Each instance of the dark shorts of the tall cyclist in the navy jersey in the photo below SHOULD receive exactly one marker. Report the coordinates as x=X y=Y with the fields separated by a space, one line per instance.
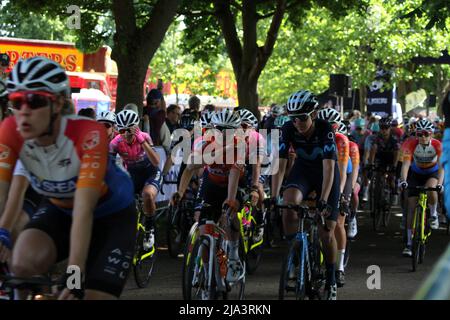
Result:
x=307 y=180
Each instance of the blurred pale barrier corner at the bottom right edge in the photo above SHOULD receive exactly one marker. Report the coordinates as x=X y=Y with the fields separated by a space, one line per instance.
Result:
x=437 y=285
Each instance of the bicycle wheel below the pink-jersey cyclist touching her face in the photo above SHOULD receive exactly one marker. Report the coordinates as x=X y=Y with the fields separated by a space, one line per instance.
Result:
x=143 y=261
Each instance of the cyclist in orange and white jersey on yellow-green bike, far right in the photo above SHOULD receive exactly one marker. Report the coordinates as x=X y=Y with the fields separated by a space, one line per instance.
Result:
x=421 y=167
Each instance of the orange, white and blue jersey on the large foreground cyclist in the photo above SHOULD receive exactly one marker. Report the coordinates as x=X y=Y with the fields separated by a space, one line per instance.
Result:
x=78 y=159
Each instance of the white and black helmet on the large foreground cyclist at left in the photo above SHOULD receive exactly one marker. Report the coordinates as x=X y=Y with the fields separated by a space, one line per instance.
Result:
x=38 y=74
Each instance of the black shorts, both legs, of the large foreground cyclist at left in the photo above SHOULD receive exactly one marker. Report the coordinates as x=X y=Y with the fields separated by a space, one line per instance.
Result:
x=111 y=249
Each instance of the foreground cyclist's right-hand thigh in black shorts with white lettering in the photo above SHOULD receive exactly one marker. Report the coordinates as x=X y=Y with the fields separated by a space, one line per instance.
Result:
x=110 y=254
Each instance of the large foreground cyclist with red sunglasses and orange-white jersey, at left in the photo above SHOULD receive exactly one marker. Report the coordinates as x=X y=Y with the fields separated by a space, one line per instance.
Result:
x=88 y=215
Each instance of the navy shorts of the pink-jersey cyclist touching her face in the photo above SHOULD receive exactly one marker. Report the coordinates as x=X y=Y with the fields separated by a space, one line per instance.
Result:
x=143 y=174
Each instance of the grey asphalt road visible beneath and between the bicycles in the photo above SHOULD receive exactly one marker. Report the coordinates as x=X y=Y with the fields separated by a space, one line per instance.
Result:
x=369 y=248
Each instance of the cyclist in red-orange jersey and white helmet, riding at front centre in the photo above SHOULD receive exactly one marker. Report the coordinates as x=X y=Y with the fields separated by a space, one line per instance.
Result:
x=220 y=179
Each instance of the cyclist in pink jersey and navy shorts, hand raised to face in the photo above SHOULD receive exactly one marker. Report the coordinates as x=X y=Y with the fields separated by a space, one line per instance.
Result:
x=142 y=162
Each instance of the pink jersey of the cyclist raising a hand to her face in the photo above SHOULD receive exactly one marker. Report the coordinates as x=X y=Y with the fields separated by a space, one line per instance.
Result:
x=130 y=153
